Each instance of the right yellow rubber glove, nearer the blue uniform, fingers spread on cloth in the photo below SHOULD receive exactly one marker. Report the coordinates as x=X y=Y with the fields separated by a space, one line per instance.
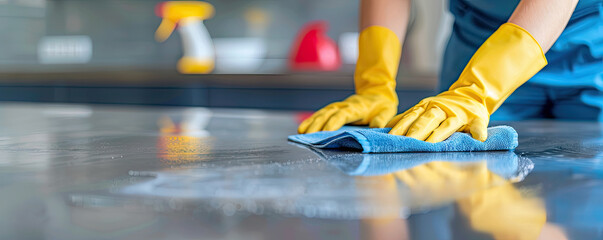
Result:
x=509 y=58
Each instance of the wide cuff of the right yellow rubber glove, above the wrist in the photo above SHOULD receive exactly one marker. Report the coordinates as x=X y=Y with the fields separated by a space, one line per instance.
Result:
x=508 y=58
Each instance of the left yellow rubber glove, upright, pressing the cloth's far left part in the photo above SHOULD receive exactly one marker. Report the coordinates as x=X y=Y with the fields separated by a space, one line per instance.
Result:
x=375 y=101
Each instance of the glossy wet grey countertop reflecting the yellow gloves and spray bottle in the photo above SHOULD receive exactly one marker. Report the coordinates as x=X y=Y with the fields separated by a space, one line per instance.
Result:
x=108 y=172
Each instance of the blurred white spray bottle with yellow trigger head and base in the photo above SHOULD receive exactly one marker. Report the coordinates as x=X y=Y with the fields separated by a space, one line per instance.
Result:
x=188 y=16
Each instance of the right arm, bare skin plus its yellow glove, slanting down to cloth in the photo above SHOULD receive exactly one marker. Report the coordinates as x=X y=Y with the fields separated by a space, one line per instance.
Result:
x=506 y=60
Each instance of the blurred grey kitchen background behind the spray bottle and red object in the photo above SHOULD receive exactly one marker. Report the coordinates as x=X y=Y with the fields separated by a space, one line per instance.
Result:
x=104 y=51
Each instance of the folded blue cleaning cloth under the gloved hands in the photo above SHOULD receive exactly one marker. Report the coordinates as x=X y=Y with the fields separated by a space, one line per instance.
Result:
x=377 y=140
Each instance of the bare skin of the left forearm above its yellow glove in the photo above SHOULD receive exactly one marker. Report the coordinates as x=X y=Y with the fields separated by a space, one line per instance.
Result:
x=392 y=14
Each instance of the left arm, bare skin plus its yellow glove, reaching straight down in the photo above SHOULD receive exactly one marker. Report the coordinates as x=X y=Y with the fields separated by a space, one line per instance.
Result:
x=382 y=28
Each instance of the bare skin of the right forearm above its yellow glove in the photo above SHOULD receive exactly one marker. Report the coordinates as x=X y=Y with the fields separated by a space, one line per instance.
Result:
x=543 y=19
